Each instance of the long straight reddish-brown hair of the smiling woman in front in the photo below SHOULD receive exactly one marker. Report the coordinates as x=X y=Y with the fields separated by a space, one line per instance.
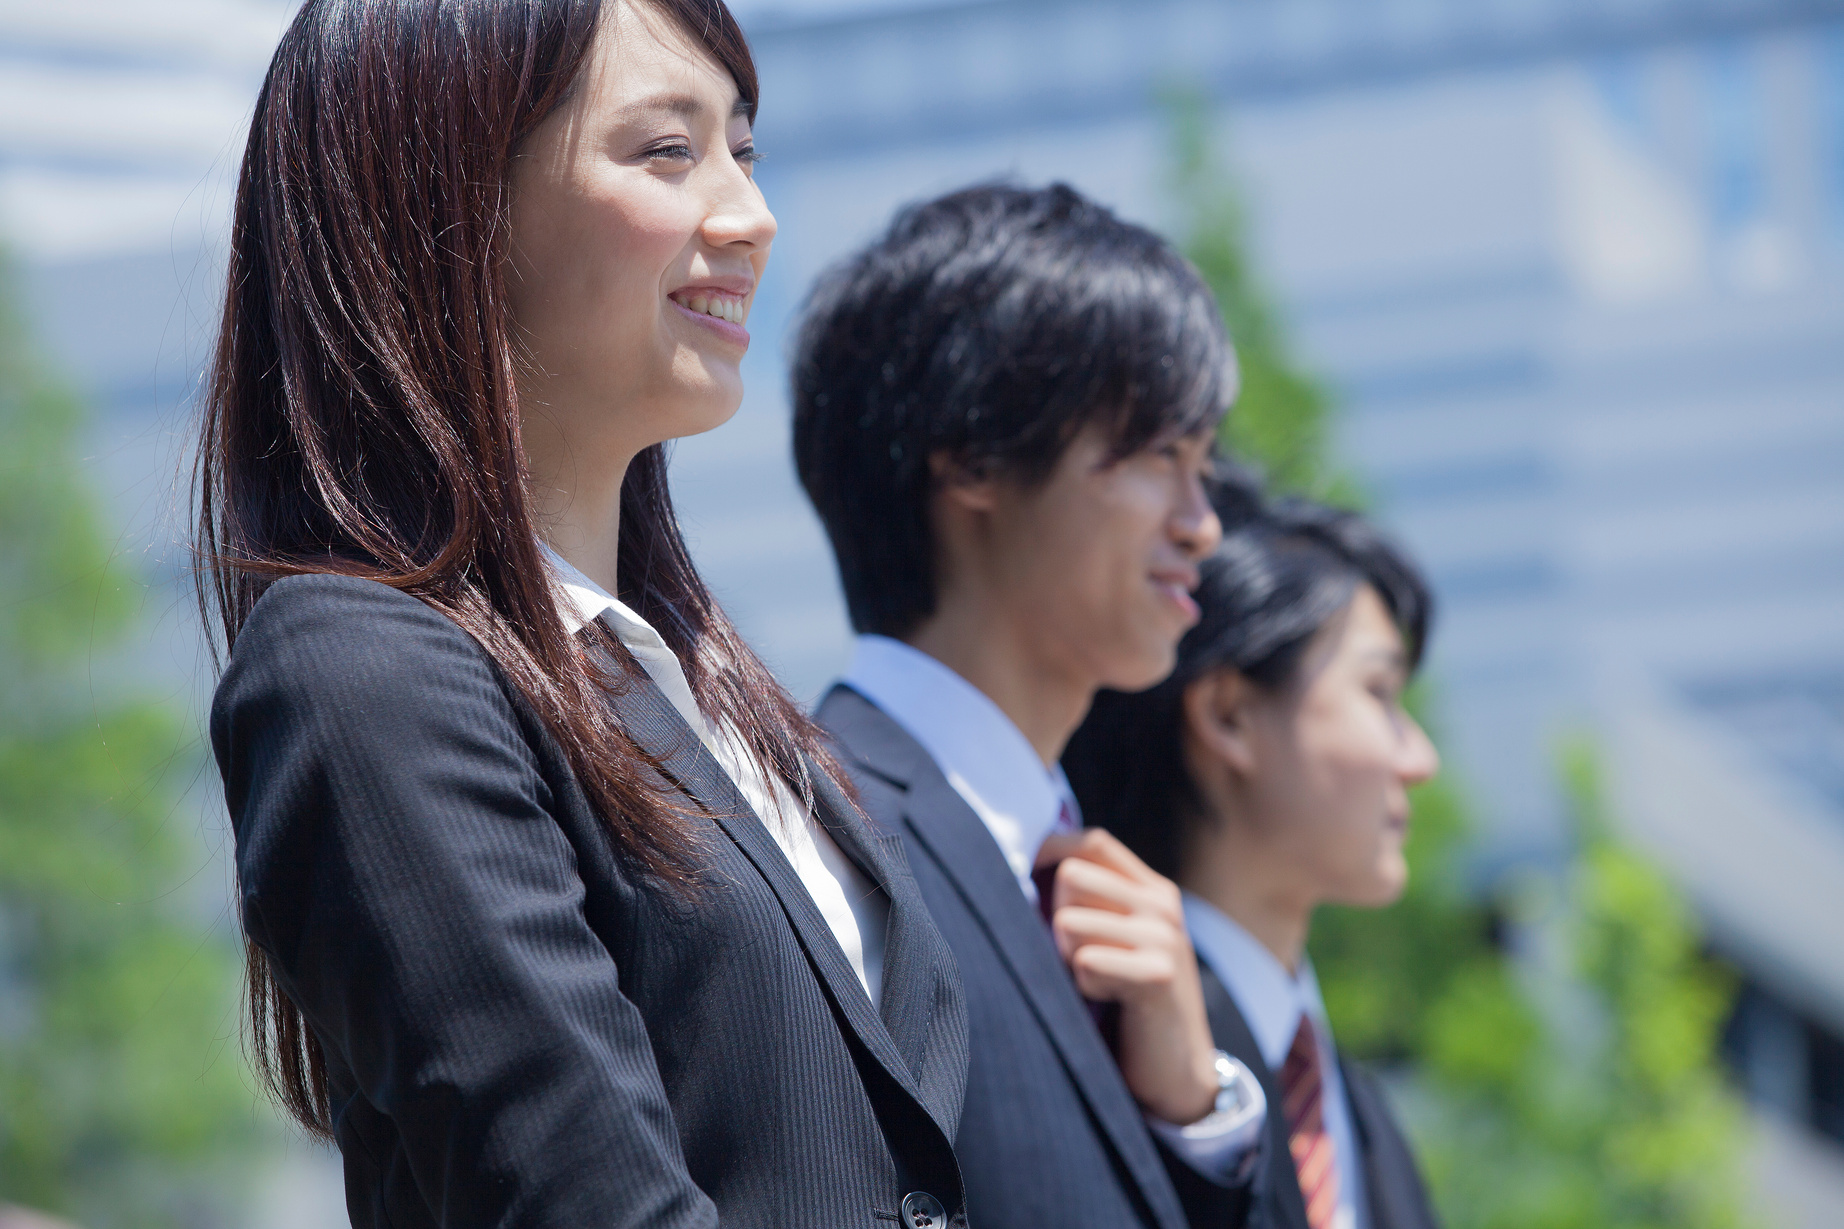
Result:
x=362 y=409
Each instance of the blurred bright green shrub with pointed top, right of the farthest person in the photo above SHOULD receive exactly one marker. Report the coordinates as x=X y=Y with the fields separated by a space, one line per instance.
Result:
x=1609 y=1110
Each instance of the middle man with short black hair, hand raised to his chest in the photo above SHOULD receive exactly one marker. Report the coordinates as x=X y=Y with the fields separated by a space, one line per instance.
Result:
x=1006 y=414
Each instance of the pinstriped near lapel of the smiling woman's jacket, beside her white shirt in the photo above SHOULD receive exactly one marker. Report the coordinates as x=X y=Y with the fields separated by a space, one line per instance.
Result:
x=681 y=758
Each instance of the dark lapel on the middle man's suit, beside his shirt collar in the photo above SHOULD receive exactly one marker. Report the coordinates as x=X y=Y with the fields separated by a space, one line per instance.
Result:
x=956 y=839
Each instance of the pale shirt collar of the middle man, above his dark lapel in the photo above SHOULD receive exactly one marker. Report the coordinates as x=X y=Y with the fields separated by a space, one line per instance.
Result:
x=980 y=750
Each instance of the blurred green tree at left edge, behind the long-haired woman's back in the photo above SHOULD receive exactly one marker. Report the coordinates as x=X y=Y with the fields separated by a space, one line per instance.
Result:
x=119 y=1073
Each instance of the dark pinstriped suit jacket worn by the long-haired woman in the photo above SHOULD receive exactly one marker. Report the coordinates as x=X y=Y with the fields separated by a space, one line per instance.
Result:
x=519 y=1031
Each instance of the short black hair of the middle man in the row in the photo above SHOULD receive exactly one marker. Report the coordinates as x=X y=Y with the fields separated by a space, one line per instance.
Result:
x=989 y=326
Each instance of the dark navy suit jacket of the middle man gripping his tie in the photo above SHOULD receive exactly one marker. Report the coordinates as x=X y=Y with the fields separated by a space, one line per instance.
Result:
x=1050 y=1136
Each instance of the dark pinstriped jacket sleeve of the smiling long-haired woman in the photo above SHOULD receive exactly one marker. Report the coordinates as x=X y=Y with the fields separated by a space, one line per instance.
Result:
x=403 y=872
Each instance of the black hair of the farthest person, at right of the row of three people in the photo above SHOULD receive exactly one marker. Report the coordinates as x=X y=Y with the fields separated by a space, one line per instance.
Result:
x=1266 y=593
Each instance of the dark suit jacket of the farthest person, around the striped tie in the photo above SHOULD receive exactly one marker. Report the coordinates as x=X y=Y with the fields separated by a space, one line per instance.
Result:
x=1393 y=1184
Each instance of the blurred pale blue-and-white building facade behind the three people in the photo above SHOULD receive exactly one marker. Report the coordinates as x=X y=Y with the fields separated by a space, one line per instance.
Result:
x=1574 y=270
